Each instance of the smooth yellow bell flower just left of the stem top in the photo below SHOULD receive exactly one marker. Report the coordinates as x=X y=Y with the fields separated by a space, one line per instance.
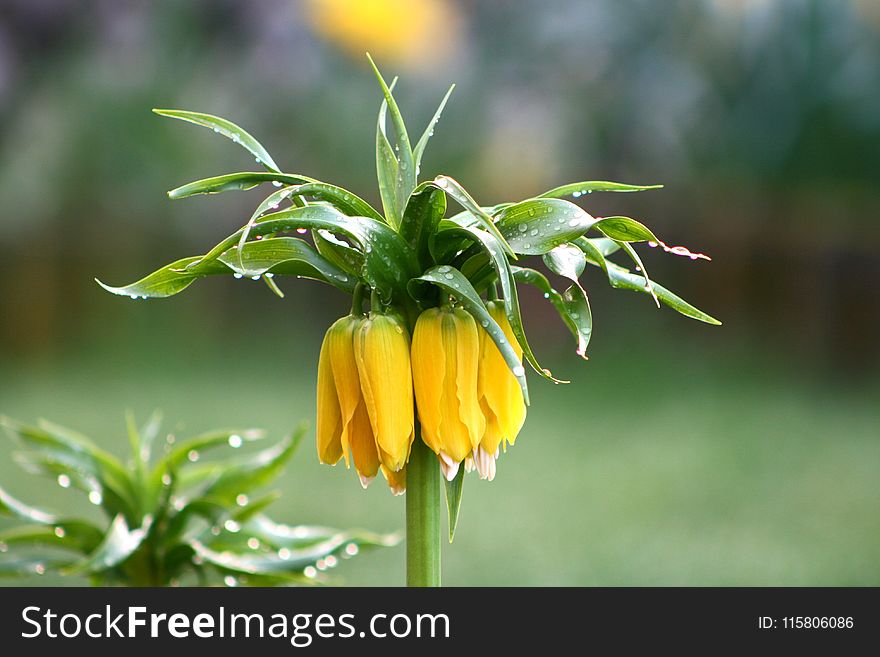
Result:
x=383 y=363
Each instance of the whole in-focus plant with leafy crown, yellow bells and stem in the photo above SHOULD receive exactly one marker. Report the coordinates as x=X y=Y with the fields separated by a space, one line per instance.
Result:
x=431 y=274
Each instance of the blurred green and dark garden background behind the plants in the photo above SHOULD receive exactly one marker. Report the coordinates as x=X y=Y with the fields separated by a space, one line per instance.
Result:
x=681 y=454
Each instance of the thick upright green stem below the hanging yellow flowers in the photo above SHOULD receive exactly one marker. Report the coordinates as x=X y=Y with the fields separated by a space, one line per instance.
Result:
x=422 y=515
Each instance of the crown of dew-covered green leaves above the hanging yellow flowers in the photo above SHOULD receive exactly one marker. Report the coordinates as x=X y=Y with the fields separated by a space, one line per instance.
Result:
x=414 y=256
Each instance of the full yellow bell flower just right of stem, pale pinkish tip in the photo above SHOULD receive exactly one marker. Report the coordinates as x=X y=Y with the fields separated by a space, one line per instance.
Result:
x=445 y=356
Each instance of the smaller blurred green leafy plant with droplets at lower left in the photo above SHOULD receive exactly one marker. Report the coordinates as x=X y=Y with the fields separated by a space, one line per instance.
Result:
x=178 y=518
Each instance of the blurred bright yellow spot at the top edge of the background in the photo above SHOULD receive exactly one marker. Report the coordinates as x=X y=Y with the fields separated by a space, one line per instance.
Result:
x=411 y=33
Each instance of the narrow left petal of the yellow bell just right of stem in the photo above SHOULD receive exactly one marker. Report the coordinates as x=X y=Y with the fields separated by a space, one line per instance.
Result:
x=428 y=371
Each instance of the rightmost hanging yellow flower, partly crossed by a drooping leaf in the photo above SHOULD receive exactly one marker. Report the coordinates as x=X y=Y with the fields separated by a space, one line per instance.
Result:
x=500 y=396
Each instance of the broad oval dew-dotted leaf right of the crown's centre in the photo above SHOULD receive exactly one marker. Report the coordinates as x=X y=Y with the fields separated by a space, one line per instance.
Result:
x=537 y=226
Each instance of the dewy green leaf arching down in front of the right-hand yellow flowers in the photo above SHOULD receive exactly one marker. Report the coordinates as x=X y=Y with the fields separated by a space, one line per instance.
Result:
x=451 y=281
